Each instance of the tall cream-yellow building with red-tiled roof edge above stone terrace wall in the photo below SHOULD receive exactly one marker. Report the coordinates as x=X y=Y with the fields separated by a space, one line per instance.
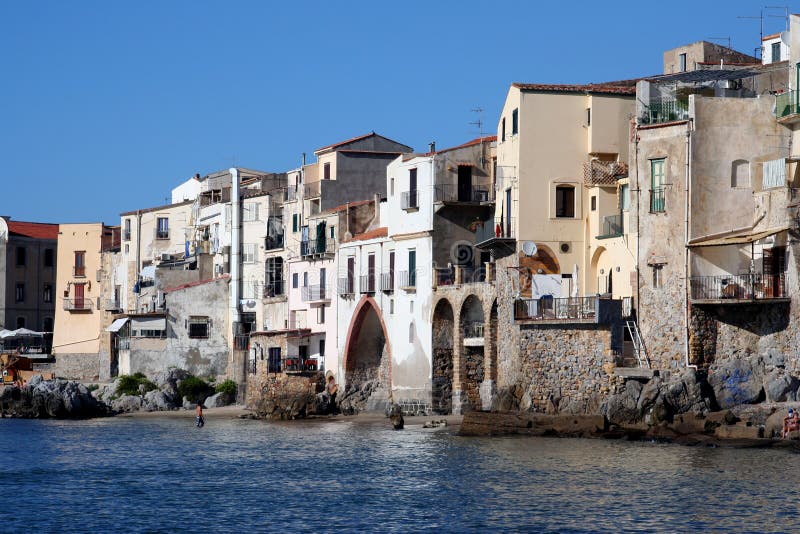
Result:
x=561 y=151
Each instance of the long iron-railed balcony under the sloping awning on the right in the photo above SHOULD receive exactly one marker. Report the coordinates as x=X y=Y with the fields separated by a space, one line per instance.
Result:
x=737 y=289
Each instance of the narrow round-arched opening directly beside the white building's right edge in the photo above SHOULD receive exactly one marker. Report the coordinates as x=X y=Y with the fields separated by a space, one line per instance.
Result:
x=442 y=373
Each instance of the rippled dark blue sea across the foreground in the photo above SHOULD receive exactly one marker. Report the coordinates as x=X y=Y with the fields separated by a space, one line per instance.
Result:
x=165 y=475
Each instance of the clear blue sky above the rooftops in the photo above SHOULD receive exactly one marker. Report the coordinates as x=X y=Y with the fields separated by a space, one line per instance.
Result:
x=107 y=105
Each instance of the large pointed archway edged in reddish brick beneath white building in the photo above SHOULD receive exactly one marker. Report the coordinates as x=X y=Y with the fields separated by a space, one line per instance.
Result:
x=367 y=360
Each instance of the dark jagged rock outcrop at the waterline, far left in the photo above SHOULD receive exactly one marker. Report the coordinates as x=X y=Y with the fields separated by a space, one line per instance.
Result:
x=60 y=399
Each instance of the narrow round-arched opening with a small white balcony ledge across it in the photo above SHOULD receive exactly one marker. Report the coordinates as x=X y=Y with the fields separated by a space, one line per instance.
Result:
x=471 y=322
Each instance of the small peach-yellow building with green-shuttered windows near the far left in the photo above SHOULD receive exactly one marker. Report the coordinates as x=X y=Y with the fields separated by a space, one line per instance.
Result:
x=79 y=319
